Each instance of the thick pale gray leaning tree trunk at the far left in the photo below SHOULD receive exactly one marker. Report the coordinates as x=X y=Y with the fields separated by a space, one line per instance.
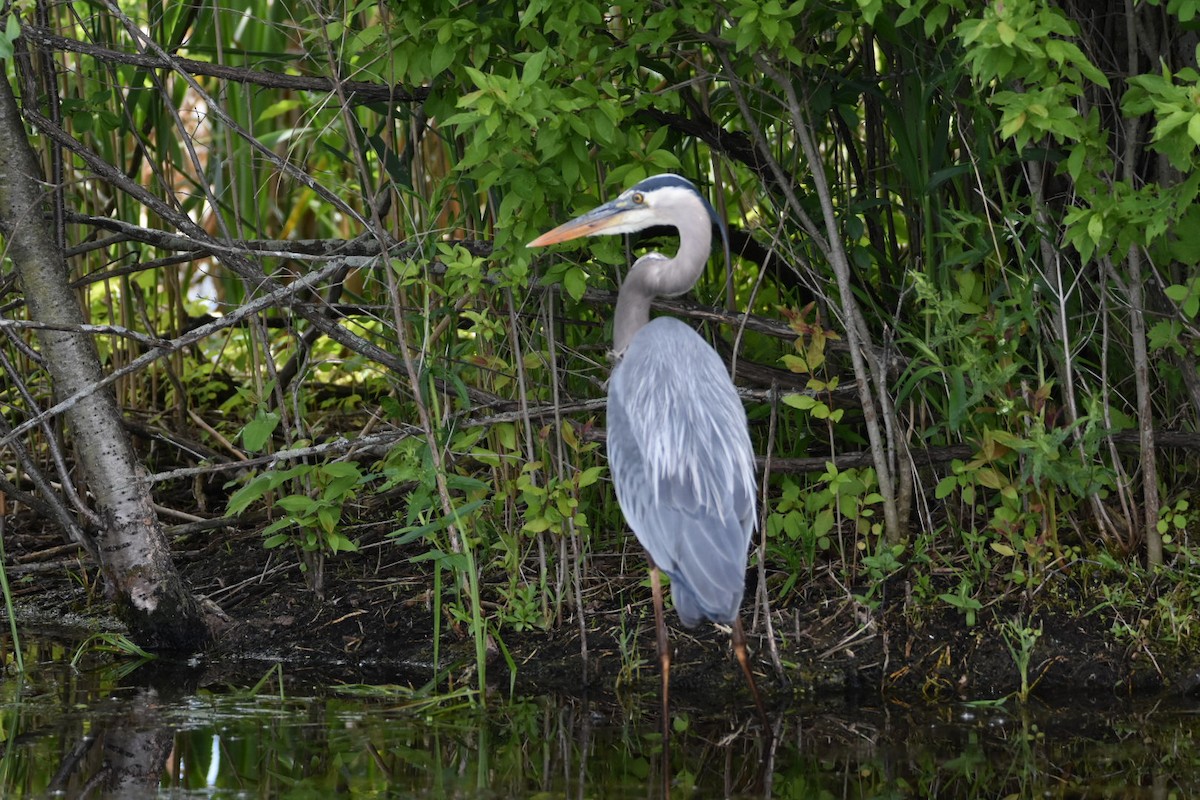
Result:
x=149 y=592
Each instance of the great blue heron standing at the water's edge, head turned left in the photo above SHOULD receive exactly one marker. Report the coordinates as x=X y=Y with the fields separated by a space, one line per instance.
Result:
x=679 y=443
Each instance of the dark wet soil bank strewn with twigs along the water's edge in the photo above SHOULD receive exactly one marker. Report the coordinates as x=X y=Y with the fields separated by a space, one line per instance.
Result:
x=374 y=622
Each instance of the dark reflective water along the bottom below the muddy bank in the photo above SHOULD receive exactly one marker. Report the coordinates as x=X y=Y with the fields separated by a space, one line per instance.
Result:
x=110 y=727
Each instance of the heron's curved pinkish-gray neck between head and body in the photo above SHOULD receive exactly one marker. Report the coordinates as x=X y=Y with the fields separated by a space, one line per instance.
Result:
x=652 y=278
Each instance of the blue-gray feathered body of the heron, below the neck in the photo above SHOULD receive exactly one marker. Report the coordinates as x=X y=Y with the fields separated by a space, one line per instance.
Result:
x=683 y=466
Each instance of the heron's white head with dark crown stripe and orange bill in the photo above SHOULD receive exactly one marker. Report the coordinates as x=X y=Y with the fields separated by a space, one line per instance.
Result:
x=659 y=201
